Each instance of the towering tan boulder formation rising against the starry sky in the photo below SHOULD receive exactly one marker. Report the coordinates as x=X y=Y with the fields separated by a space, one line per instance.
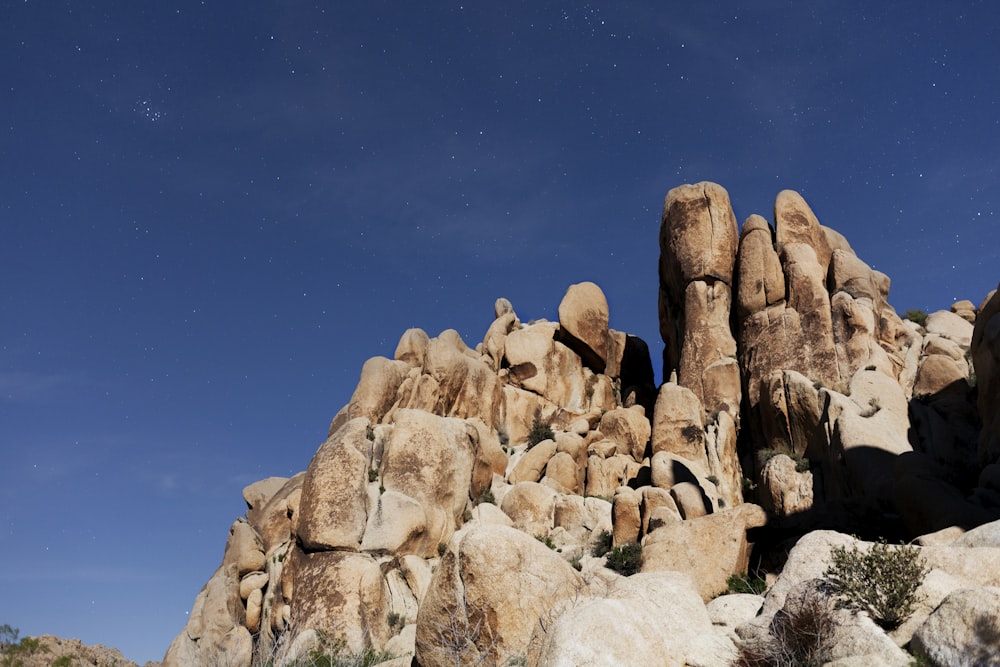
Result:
x=440 y=521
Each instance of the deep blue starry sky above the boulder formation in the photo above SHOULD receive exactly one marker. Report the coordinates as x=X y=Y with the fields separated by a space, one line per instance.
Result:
x=211 y=213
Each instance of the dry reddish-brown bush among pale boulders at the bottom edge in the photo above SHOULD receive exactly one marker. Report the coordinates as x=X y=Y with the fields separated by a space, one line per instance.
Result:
x=800 y=635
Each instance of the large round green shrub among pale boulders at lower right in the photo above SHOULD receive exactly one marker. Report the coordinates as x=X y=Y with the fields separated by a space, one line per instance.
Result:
x=883 y=581
